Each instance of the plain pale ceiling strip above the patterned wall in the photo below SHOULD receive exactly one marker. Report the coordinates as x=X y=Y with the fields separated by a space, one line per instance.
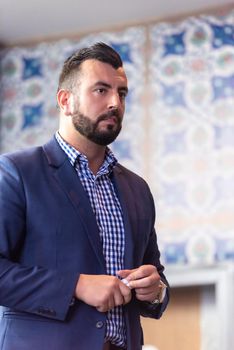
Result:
x=30 y=20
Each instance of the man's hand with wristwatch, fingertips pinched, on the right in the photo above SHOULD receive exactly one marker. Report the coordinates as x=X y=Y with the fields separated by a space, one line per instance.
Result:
x=145 y=280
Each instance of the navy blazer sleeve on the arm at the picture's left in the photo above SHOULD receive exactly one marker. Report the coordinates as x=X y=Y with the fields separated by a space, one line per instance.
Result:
x=33 y=289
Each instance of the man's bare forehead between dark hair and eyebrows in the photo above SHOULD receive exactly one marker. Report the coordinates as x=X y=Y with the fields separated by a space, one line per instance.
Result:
x=94 y=70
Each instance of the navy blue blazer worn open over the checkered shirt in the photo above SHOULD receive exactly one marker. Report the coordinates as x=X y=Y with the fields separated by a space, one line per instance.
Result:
x=48 y=236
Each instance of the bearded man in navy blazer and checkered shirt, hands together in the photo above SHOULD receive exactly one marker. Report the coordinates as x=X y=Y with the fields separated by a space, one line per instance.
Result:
x=79 y=262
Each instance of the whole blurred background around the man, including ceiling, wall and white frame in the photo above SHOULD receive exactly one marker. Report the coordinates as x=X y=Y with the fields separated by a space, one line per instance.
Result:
x=178 y=132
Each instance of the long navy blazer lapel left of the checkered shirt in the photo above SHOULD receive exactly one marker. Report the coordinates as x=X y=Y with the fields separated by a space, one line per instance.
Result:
x=67 y=177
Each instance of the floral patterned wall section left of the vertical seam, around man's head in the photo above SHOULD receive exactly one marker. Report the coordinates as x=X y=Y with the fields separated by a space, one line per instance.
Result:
x=29 y=77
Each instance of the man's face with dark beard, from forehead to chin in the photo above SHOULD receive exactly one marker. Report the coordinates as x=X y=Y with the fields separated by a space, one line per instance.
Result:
x=99 y=102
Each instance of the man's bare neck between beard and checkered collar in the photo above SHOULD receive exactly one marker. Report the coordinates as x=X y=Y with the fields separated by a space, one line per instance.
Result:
x=94 y=153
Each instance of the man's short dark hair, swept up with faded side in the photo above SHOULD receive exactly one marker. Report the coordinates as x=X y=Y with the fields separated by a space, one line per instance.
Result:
x=99 y=51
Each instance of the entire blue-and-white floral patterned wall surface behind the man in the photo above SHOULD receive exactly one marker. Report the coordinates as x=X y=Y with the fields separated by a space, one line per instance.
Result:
x=180 y=108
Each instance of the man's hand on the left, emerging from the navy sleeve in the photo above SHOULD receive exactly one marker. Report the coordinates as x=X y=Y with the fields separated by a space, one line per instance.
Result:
x=102 y=291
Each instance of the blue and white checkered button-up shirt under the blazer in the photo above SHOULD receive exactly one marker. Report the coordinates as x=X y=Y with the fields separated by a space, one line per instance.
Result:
x=108 y=213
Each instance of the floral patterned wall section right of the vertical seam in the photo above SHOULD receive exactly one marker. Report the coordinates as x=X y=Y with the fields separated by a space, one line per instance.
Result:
x=192 y=138
